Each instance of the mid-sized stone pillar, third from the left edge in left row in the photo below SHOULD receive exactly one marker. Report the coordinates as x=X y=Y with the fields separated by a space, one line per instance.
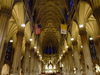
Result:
x=26 y=58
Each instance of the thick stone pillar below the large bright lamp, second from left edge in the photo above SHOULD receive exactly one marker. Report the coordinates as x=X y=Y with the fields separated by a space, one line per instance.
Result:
x=17 y=54
